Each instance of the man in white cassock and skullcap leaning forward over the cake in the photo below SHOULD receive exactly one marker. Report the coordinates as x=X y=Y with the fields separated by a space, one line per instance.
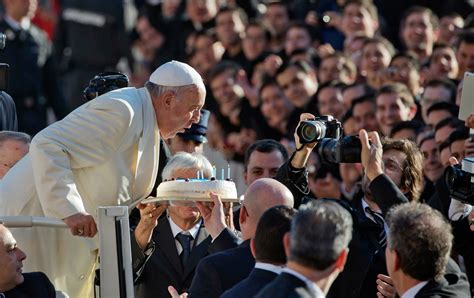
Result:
x=104 y=153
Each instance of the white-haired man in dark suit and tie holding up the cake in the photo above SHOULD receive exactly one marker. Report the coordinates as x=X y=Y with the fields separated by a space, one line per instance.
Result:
x=168 y=254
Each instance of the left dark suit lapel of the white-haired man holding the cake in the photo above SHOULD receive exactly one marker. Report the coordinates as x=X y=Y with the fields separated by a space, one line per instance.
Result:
x=166 y=244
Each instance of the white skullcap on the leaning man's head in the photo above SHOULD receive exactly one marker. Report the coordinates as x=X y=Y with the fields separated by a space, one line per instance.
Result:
x=174 y=74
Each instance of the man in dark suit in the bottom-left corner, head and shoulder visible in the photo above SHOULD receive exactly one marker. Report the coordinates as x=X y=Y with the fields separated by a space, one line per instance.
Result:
x=14 y=283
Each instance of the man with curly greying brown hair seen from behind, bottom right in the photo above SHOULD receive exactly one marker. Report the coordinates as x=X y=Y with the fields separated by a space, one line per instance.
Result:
x=418 y=249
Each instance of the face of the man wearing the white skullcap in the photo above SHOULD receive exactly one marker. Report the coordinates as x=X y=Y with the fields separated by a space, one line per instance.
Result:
x=184 y=110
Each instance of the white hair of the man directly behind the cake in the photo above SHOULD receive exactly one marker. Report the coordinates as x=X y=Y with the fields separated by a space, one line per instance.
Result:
x=187 y=161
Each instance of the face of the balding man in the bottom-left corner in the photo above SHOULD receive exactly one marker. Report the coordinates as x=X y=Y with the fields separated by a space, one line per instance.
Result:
x=11 y=261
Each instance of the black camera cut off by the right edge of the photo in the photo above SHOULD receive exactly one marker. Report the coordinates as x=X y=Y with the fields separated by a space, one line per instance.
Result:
x=460 y=180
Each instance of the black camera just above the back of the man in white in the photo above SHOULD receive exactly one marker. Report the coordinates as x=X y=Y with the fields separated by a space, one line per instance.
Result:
x=105 y=82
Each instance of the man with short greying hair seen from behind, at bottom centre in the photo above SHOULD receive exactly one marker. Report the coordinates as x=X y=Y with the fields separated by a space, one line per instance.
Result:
x=316 y=248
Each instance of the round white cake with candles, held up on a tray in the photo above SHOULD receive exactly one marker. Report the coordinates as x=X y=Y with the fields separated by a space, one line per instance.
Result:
x=195 y=190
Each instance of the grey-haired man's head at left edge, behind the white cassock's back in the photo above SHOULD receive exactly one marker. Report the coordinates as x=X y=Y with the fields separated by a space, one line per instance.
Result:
x=13 y=146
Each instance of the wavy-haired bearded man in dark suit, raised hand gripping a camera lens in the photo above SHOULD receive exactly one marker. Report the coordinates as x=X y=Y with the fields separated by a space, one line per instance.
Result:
x=402 y=167
